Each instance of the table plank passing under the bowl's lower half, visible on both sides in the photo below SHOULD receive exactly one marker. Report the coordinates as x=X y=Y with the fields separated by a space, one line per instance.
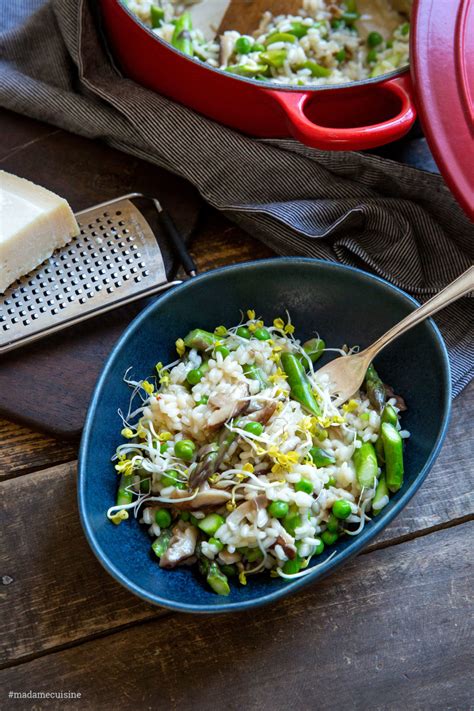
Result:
x=39 y=510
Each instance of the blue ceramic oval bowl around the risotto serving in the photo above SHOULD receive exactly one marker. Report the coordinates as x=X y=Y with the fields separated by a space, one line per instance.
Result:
x=344 y=305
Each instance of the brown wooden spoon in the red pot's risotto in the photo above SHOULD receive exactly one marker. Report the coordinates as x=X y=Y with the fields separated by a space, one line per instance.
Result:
x=244 y=15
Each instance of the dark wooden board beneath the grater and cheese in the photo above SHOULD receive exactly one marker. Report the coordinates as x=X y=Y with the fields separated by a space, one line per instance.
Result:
x=92 y=173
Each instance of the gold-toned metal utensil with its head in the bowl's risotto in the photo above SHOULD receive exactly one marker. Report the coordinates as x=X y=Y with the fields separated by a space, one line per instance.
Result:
x=347 y=373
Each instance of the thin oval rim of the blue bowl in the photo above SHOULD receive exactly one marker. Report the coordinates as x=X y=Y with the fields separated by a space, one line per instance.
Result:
x=328 y=565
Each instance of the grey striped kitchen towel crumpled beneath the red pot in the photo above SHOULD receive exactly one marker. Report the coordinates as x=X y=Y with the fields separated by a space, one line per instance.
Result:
x=393 y=220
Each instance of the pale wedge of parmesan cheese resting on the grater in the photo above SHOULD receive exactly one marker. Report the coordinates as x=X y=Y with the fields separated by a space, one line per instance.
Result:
x=33 y=223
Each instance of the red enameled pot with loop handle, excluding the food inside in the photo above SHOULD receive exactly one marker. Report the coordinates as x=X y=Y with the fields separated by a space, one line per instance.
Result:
x=355 y=116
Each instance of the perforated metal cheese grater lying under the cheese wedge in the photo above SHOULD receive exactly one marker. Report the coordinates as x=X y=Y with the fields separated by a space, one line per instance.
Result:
x=116 y=259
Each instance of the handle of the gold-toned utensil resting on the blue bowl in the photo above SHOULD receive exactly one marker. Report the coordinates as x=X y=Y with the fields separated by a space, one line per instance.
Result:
x=459 y=287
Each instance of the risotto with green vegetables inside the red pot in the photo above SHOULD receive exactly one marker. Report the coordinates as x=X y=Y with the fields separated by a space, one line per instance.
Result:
x=323 y=44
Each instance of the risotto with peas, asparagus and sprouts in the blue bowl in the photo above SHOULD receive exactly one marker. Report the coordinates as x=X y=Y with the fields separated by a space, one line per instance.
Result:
x=237 y=460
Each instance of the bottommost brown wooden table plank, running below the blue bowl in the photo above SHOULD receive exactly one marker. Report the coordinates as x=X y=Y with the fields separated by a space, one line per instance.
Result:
x=347 y=643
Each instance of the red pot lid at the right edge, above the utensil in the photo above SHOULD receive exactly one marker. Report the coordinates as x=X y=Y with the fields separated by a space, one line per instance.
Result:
x=442 y=51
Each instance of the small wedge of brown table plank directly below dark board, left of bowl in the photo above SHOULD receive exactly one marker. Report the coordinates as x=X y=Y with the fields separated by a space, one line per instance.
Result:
x=23 y=450
